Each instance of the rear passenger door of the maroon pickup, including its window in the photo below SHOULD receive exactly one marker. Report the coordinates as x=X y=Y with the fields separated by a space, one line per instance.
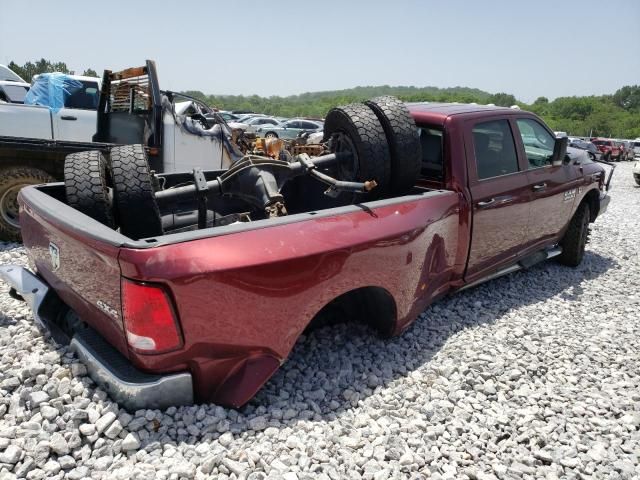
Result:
x=500 y=196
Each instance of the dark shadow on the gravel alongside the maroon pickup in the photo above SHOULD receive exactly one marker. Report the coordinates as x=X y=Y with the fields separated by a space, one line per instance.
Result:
x=333 y=368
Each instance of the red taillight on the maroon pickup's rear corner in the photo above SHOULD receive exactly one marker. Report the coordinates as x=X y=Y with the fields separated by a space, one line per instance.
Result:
x=150 y=322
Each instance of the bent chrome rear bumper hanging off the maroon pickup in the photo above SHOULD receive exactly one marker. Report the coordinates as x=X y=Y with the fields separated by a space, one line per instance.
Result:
x=127 y=385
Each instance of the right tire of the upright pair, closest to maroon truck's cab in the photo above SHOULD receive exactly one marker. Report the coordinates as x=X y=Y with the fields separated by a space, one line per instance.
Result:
x=404 y=142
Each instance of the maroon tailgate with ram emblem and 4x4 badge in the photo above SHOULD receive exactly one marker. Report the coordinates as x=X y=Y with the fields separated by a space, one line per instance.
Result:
x=82 y=268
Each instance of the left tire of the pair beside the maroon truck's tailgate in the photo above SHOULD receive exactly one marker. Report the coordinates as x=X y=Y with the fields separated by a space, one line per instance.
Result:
x=85 y=184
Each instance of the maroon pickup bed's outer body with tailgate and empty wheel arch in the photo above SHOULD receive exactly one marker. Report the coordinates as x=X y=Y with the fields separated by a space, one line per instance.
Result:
x=243 y=293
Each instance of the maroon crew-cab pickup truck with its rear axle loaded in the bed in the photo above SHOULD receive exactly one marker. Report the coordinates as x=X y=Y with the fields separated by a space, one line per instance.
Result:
x=210 y=313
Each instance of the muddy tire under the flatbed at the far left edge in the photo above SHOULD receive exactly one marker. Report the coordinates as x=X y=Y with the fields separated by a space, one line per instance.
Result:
x=12 y=179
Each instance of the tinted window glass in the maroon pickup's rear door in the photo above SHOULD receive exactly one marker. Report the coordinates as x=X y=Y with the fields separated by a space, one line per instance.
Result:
x=494 y=149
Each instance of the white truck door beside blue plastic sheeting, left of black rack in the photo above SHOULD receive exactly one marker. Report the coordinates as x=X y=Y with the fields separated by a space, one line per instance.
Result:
x=76 y=122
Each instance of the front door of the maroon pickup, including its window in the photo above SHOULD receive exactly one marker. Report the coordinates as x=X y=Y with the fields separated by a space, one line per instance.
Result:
x=553 y=188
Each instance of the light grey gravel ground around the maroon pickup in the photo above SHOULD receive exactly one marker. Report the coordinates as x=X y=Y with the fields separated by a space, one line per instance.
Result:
x=534 y=375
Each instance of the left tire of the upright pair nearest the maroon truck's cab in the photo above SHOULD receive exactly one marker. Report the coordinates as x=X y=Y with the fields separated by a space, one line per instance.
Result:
x=355 y=128
